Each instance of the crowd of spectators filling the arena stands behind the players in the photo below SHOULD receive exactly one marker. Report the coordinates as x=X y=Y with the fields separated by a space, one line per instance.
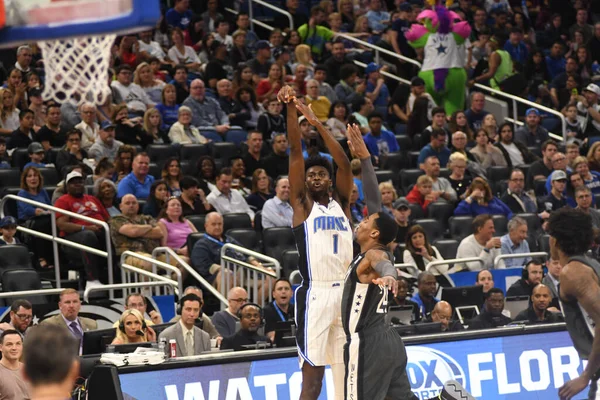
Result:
x=193 y=133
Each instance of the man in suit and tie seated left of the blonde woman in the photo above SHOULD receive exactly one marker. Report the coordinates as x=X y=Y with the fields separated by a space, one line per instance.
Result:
x=69 y=319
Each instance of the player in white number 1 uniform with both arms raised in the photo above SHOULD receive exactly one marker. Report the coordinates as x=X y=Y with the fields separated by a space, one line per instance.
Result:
x=323 y=234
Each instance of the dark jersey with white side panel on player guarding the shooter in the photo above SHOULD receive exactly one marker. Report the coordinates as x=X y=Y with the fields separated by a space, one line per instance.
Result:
x=363 y=304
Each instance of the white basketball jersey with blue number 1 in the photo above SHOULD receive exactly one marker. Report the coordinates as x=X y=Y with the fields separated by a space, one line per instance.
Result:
x=324 y=243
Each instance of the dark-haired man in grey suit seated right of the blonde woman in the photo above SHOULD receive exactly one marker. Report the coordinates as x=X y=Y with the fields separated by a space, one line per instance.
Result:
x=190 y=339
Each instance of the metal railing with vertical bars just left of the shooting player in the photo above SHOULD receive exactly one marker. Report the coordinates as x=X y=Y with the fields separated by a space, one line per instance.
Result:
x=240 y=273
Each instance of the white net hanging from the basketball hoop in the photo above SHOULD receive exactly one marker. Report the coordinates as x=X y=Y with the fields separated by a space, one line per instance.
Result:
x=77 y=68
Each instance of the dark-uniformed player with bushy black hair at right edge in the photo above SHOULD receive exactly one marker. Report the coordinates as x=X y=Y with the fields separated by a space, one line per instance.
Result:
x=571 y=236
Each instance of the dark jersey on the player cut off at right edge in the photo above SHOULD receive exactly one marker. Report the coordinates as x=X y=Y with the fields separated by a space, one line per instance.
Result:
x=579 y=323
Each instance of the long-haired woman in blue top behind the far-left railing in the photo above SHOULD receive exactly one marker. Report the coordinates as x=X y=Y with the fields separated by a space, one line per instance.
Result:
x=32 y=188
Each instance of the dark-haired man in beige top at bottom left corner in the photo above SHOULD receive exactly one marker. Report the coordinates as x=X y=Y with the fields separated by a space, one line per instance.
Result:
x=12 y=385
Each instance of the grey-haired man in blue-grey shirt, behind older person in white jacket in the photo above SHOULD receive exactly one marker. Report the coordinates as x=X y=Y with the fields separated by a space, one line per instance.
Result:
x=205 y=111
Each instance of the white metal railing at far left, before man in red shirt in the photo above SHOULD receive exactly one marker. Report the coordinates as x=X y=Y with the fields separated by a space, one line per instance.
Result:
x=58 y=240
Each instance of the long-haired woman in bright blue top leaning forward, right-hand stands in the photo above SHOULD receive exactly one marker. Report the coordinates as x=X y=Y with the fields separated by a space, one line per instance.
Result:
x=480 y=200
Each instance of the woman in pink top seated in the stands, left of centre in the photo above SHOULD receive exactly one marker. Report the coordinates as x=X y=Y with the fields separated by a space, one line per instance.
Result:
x=175 y=227
